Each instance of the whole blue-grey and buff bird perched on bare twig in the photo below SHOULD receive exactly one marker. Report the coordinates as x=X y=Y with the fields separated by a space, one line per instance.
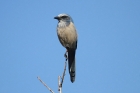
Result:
x=67 y=36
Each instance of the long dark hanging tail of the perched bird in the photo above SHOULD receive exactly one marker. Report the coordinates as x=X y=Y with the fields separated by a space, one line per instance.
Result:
x=71 y=62
